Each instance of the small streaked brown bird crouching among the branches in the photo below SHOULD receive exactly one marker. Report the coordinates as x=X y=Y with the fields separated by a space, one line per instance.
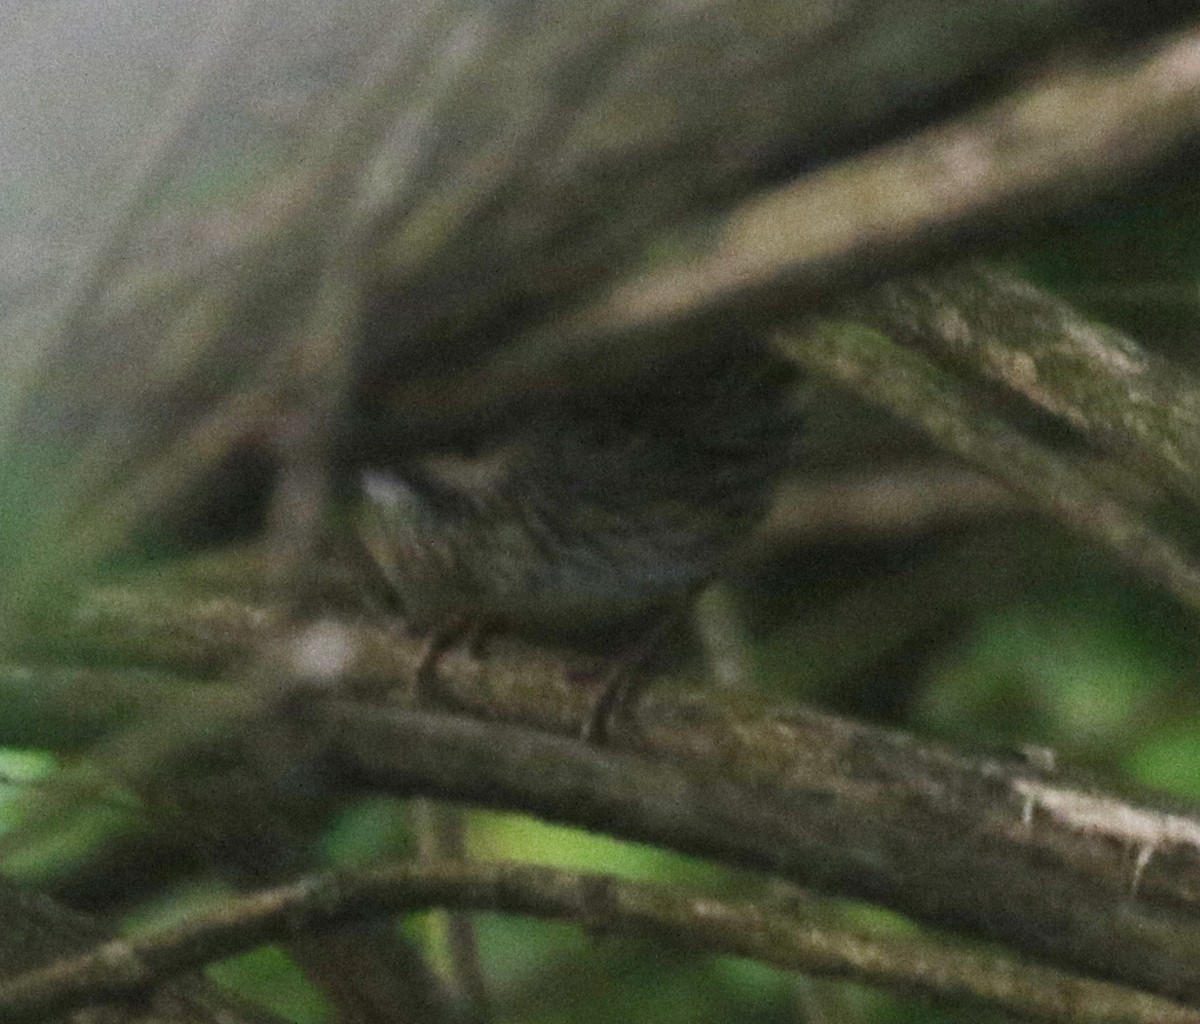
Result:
x=590 y=519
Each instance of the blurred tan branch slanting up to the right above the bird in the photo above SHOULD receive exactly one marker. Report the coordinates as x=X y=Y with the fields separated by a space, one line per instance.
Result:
x=857 y=223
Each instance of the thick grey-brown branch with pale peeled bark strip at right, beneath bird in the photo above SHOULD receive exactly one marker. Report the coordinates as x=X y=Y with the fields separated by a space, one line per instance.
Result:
x=994 y=848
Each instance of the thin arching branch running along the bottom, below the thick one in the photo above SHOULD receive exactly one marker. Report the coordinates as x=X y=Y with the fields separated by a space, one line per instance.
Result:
x=914 y=966
